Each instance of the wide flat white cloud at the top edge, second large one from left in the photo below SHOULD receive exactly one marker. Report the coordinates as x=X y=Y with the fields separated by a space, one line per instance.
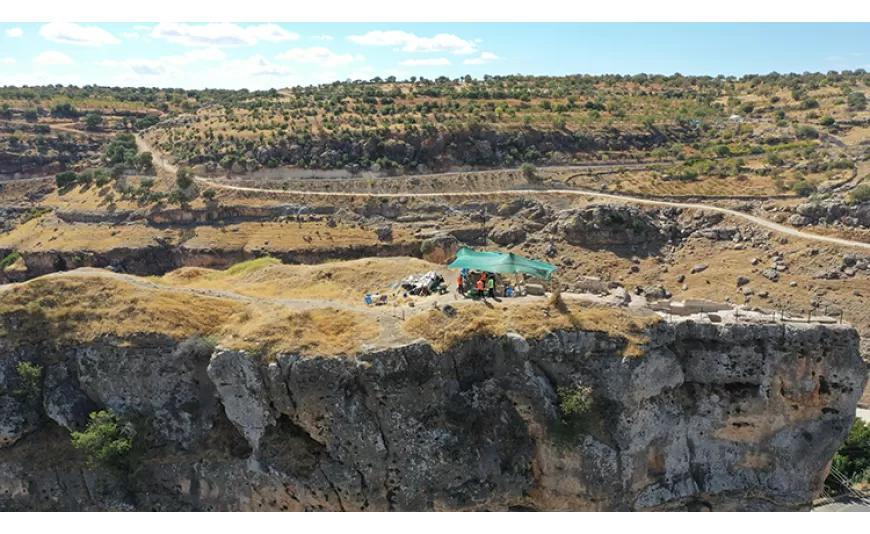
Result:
x=221 y=34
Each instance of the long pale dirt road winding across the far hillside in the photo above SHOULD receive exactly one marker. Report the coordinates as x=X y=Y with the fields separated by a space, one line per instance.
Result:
x=764 y=223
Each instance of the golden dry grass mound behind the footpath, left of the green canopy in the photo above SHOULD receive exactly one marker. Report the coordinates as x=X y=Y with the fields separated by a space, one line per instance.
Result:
x=339 y=281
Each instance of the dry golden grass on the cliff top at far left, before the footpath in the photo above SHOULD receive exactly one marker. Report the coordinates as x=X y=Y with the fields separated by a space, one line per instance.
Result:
x=81 y=309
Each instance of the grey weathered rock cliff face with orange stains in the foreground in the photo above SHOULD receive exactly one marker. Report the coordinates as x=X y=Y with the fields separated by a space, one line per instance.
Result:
x=711 y=416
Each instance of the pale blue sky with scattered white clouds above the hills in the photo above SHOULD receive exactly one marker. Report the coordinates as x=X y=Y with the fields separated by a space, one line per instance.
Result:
x=267 y=55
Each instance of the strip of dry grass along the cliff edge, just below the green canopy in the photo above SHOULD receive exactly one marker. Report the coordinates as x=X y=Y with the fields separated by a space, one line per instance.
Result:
x=534 y=320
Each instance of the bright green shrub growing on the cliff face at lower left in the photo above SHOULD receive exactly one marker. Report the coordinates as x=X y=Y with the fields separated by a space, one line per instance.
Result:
x=107 y=441
